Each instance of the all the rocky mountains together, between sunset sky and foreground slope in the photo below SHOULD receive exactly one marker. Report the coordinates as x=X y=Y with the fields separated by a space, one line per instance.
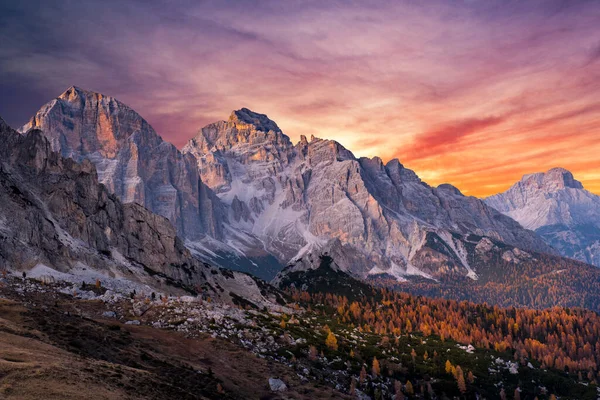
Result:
x=242 y=196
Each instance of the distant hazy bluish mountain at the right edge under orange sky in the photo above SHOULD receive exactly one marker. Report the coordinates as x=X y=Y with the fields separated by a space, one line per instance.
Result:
x=558 y=208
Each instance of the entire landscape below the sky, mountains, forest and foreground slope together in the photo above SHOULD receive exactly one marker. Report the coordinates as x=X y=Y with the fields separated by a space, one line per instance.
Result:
x=117 y=251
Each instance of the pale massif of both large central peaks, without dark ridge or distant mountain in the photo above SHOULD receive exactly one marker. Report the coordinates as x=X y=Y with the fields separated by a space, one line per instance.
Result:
x=242 y=195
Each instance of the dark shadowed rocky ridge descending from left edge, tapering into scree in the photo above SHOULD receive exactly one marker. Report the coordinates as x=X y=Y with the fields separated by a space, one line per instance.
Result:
x=57 y=220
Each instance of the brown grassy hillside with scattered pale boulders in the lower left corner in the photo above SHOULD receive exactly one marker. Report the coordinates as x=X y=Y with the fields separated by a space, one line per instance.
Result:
x=64 y=344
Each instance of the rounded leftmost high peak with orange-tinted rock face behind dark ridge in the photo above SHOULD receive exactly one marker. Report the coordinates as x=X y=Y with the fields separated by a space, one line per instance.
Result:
x=131 y=159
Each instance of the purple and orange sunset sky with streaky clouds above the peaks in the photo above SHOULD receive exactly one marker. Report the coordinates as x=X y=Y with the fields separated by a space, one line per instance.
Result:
x=474 y=93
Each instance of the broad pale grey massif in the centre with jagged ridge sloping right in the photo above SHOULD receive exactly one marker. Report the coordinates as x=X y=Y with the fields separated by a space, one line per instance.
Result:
x=315 y=196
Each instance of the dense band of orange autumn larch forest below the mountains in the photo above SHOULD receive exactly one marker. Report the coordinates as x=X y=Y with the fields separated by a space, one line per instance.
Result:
x=560 y=338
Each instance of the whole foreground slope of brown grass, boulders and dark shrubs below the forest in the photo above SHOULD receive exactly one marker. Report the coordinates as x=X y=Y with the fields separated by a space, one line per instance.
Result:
x=61 y=340
